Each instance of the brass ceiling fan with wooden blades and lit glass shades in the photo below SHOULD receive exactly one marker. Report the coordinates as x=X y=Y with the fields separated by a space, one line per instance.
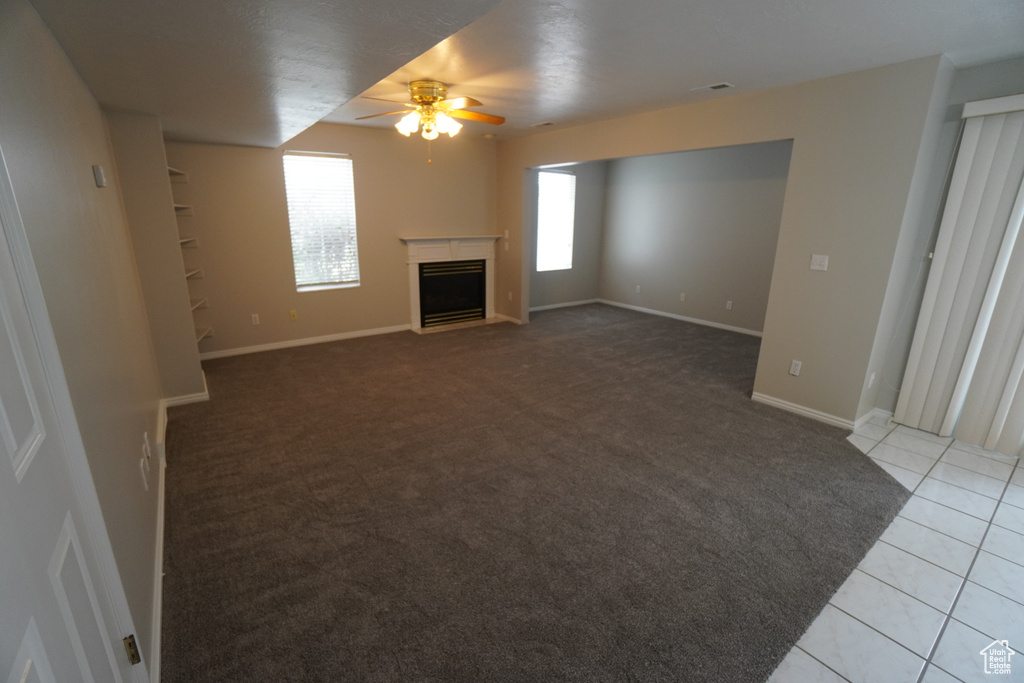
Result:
x=437 y=114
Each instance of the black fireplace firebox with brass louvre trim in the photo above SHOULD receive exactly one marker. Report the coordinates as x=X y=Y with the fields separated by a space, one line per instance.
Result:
x=452 y=292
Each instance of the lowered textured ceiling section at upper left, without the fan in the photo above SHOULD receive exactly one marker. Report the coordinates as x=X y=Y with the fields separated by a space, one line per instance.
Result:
x=244 y=72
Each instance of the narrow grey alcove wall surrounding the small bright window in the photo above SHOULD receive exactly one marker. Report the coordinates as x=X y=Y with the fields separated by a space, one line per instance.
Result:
x=581 y=282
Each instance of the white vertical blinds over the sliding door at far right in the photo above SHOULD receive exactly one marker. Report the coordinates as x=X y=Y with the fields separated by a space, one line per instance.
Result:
x=967 y=358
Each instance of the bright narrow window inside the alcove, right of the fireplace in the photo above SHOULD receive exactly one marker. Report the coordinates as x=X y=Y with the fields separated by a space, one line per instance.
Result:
x=556 y=221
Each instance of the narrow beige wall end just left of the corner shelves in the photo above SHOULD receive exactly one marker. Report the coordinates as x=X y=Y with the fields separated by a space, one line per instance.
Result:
x=142 y=172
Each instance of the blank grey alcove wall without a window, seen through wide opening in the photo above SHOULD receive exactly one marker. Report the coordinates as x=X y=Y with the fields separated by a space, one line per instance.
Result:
x=703 y=224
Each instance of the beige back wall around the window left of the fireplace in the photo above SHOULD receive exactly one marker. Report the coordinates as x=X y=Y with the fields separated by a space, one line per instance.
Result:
x=241 y=221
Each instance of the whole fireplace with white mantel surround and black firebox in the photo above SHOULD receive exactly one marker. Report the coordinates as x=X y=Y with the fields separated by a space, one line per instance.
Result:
x=467 y=264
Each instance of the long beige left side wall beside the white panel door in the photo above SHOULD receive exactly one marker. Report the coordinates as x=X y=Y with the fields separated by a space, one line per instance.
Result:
x=53 y=132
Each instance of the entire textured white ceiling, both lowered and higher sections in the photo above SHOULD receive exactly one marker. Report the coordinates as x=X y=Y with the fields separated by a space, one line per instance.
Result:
x=258 y=72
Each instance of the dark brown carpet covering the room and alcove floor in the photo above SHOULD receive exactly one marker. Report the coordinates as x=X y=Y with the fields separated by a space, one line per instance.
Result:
x=592 y=497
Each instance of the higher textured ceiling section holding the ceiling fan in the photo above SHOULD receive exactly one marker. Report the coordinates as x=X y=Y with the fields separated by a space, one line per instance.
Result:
x=537 y=62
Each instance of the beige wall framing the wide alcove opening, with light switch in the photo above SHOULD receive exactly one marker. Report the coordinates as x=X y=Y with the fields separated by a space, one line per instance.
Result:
x=857 y=141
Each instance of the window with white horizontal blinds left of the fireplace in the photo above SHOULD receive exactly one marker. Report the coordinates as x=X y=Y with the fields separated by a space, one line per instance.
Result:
x=322 y=216
